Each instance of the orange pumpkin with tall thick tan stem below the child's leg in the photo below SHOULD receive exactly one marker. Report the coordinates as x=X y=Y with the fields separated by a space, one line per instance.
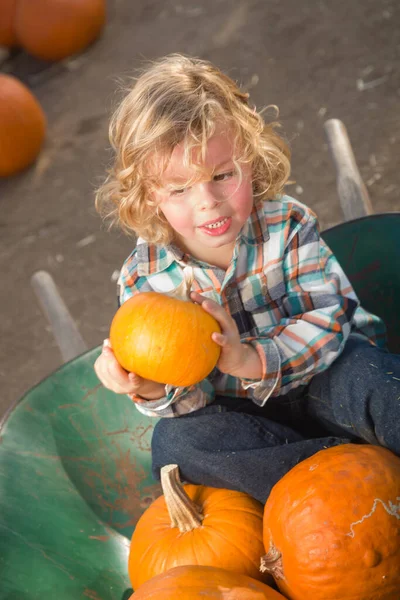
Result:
x=196 y=525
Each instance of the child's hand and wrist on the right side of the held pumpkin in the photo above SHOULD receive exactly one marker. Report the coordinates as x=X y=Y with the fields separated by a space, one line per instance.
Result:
x=237 y=359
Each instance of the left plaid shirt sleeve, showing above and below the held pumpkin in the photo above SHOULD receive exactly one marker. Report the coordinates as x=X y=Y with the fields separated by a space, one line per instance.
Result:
x=177 y=400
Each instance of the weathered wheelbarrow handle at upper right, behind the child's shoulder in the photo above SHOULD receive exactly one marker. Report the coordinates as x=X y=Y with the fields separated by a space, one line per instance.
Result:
x=353 y=194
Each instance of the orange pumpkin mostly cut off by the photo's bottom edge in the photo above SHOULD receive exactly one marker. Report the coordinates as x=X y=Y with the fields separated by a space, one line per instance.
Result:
x=204 y=583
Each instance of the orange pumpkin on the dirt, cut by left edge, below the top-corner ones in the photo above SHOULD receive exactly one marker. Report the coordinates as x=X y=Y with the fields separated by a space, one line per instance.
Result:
x=23 y=126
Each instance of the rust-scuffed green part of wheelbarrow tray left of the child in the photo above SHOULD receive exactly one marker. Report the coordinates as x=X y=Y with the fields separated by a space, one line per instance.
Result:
x=75 y=468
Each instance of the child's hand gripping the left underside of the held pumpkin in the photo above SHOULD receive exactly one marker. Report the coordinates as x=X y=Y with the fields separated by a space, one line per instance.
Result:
x=116 y=379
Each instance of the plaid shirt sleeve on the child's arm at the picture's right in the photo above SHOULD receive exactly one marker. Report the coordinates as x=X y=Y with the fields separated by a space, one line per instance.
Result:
x=319 y=303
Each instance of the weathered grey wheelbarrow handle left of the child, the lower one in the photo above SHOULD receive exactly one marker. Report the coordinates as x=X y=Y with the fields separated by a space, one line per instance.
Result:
x=63 y=326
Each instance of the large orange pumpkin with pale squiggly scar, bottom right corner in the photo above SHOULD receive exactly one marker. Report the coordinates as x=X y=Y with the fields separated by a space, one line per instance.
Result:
x=332 y=526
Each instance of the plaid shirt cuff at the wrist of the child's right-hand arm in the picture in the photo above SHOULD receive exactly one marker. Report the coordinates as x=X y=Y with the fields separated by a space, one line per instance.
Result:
x=270 y=380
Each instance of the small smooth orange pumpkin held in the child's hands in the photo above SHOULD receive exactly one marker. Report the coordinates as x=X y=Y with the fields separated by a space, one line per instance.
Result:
x=164 y=339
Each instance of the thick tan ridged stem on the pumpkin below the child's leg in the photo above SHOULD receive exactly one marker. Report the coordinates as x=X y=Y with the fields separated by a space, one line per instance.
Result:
x=183 y=512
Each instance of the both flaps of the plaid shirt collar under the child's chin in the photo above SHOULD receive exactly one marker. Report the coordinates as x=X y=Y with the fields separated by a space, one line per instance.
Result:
x=153 y=259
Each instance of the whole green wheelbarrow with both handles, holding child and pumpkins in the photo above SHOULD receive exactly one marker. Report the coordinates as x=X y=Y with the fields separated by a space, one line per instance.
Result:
x=75 y=460
